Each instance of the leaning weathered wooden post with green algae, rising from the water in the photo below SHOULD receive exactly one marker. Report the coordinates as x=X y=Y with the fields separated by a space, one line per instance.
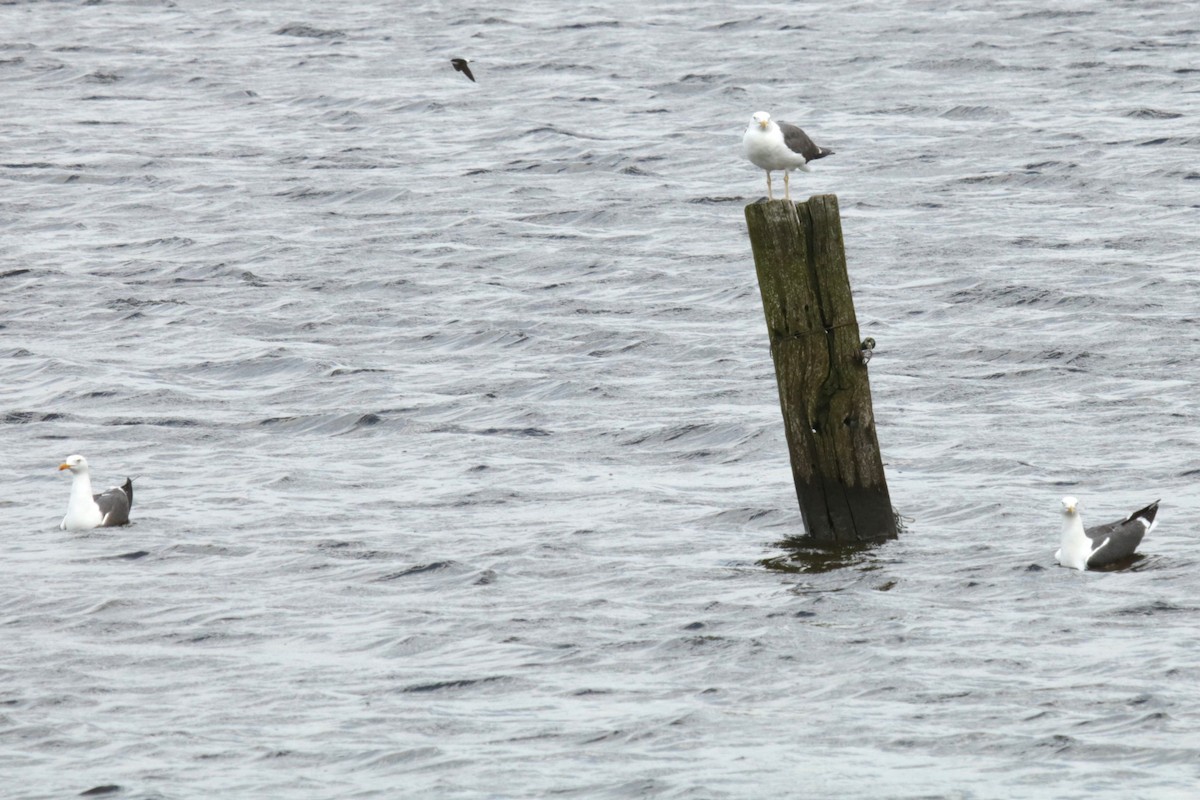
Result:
x=821 y=370
